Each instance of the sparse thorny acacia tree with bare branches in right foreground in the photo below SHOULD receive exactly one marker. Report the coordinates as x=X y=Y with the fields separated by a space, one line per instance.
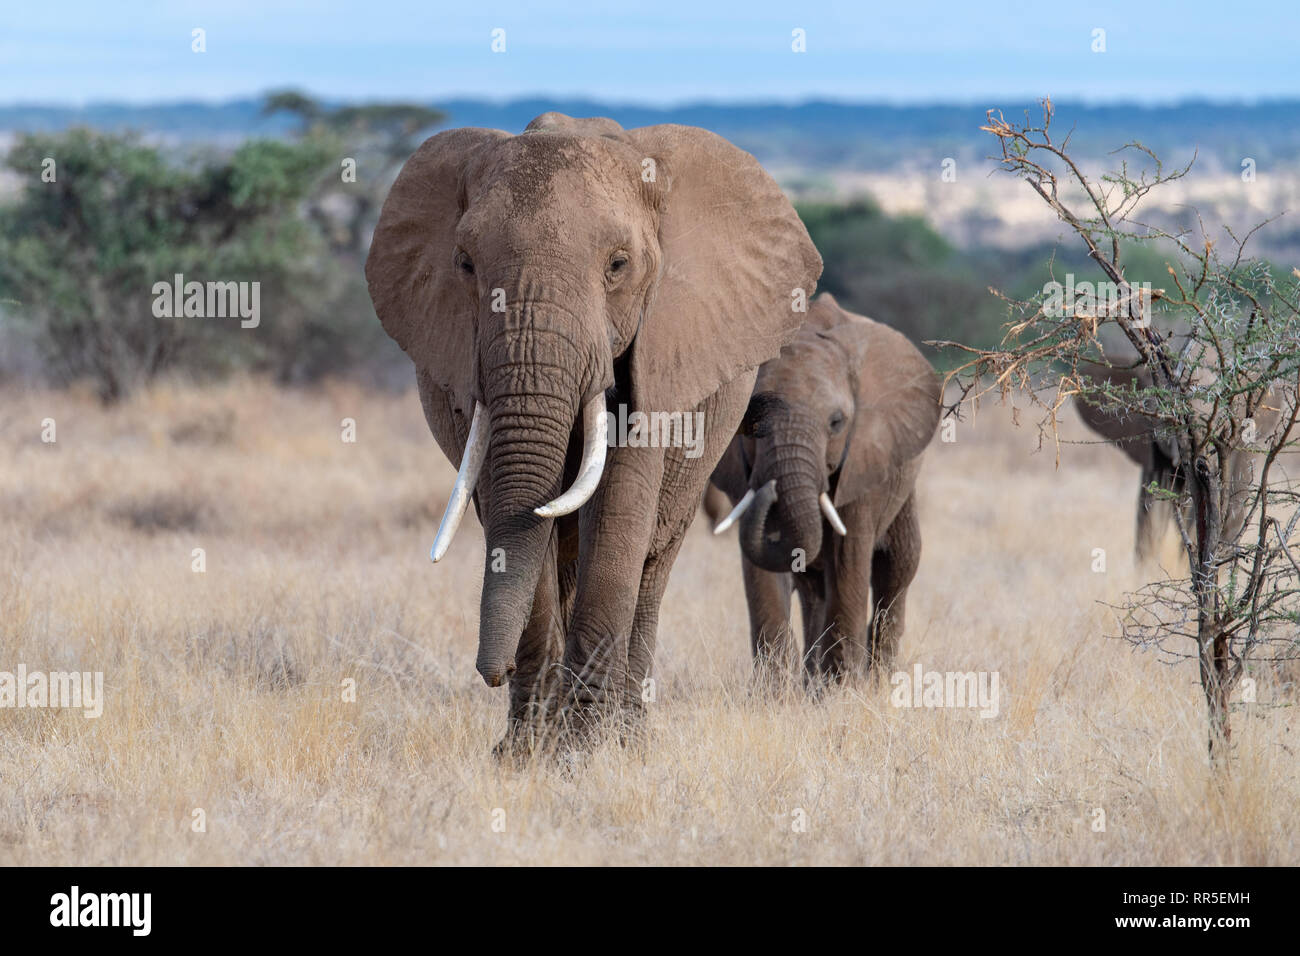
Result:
x=1220 y=345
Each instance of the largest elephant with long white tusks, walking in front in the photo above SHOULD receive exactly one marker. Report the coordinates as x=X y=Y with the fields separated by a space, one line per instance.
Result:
x=539 y=282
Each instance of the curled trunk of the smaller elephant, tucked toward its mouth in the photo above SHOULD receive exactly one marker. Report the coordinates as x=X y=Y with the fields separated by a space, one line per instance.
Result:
x=783 y=529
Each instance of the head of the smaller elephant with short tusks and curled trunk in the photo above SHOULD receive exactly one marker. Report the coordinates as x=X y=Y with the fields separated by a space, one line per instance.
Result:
x=831 y=418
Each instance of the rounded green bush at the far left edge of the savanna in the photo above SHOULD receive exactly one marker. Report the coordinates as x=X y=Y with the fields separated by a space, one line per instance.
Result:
x=83 y=248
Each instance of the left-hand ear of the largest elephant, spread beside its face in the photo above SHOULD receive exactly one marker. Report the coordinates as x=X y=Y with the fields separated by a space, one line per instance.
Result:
x=410 y=271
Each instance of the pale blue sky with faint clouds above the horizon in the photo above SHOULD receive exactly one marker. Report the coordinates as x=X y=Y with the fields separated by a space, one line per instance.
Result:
x=658 y=53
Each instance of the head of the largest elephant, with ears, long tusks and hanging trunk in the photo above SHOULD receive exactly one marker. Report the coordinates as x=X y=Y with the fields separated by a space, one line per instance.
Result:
x=530 y=276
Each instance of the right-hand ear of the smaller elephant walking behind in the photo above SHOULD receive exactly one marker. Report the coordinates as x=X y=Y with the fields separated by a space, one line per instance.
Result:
x=898 y=397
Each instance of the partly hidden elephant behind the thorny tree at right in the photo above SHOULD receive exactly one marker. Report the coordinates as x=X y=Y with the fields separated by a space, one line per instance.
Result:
x=1158 y=456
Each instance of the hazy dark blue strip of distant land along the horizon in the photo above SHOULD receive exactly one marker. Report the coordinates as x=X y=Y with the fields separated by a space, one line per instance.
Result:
x=813 y=136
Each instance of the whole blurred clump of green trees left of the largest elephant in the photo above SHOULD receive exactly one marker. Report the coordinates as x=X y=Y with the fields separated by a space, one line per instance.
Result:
x=101 y=220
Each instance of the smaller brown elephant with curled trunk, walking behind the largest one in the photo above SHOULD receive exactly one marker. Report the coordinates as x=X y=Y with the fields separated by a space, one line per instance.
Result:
x=822 y=475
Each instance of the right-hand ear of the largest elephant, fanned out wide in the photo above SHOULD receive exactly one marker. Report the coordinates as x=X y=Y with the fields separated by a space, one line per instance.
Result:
x=738 y=270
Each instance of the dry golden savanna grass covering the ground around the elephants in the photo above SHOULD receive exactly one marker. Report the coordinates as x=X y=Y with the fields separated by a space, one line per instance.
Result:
x=224 y=689
